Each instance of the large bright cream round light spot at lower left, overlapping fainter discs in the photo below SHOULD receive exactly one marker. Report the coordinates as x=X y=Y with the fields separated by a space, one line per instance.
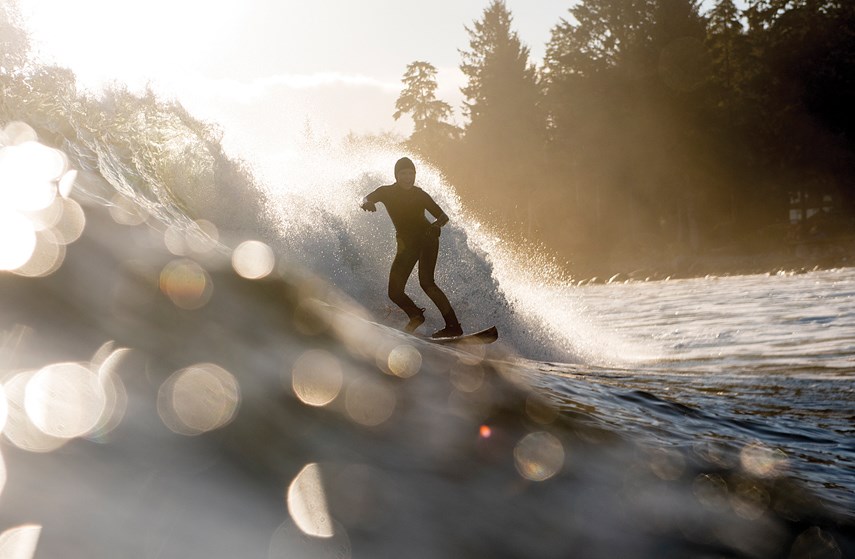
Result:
x=65 y=400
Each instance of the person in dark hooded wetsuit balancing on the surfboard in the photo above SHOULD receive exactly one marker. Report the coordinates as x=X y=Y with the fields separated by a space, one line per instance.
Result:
x=418 y=241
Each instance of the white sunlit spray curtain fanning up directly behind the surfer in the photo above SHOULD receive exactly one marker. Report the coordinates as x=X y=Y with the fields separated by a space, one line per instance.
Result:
x=313 y=198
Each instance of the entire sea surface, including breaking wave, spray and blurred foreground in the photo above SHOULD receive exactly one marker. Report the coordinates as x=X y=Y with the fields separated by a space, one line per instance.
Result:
x=198 y=366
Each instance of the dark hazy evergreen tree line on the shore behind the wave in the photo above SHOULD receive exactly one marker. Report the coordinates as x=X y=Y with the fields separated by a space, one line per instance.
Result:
x=654 y=134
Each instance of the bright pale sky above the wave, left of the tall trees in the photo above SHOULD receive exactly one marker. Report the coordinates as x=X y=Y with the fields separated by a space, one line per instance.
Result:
x=275 y=66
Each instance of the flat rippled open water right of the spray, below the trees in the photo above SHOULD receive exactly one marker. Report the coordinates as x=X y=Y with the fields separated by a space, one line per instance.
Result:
x=737 y=361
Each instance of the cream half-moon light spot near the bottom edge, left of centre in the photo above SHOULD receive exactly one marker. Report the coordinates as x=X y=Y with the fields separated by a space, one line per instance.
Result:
x=307 y=503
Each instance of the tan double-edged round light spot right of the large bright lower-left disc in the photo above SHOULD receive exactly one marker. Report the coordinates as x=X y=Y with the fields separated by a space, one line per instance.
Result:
x=198 y=399
